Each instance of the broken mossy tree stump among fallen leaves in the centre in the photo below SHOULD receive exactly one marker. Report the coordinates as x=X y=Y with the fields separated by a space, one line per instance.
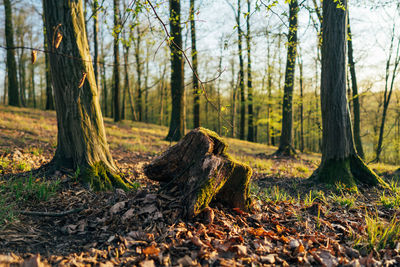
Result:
x=200 y=170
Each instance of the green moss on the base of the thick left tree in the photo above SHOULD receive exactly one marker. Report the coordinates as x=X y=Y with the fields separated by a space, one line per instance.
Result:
x=100 y=178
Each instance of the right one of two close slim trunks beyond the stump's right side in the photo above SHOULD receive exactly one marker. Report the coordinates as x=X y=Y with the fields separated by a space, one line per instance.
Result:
x=250 y=129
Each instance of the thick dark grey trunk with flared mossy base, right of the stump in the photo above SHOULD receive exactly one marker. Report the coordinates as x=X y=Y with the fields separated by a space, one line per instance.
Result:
x=340 y=161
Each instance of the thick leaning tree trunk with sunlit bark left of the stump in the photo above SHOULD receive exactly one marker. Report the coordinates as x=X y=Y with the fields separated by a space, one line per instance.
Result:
x=82 y=143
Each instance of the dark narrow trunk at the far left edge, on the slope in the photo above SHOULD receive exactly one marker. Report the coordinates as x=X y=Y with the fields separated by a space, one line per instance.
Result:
x=13 y=94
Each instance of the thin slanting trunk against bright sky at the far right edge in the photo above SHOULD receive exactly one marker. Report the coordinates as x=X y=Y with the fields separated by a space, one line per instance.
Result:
x=388 y=91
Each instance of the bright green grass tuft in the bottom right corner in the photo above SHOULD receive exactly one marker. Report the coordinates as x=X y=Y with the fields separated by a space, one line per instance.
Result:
x=380 y=234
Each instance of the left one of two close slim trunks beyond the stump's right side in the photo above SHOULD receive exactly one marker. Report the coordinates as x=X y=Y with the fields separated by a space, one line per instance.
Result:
x=241 y=76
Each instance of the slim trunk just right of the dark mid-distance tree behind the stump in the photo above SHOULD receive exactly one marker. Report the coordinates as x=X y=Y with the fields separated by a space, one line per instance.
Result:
x=196 y=93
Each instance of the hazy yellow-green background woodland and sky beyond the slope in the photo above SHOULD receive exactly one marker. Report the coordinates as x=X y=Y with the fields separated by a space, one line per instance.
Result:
x=244 y=72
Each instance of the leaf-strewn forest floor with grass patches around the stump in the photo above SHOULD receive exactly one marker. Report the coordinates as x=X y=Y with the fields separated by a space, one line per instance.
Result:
x=293 y=221
